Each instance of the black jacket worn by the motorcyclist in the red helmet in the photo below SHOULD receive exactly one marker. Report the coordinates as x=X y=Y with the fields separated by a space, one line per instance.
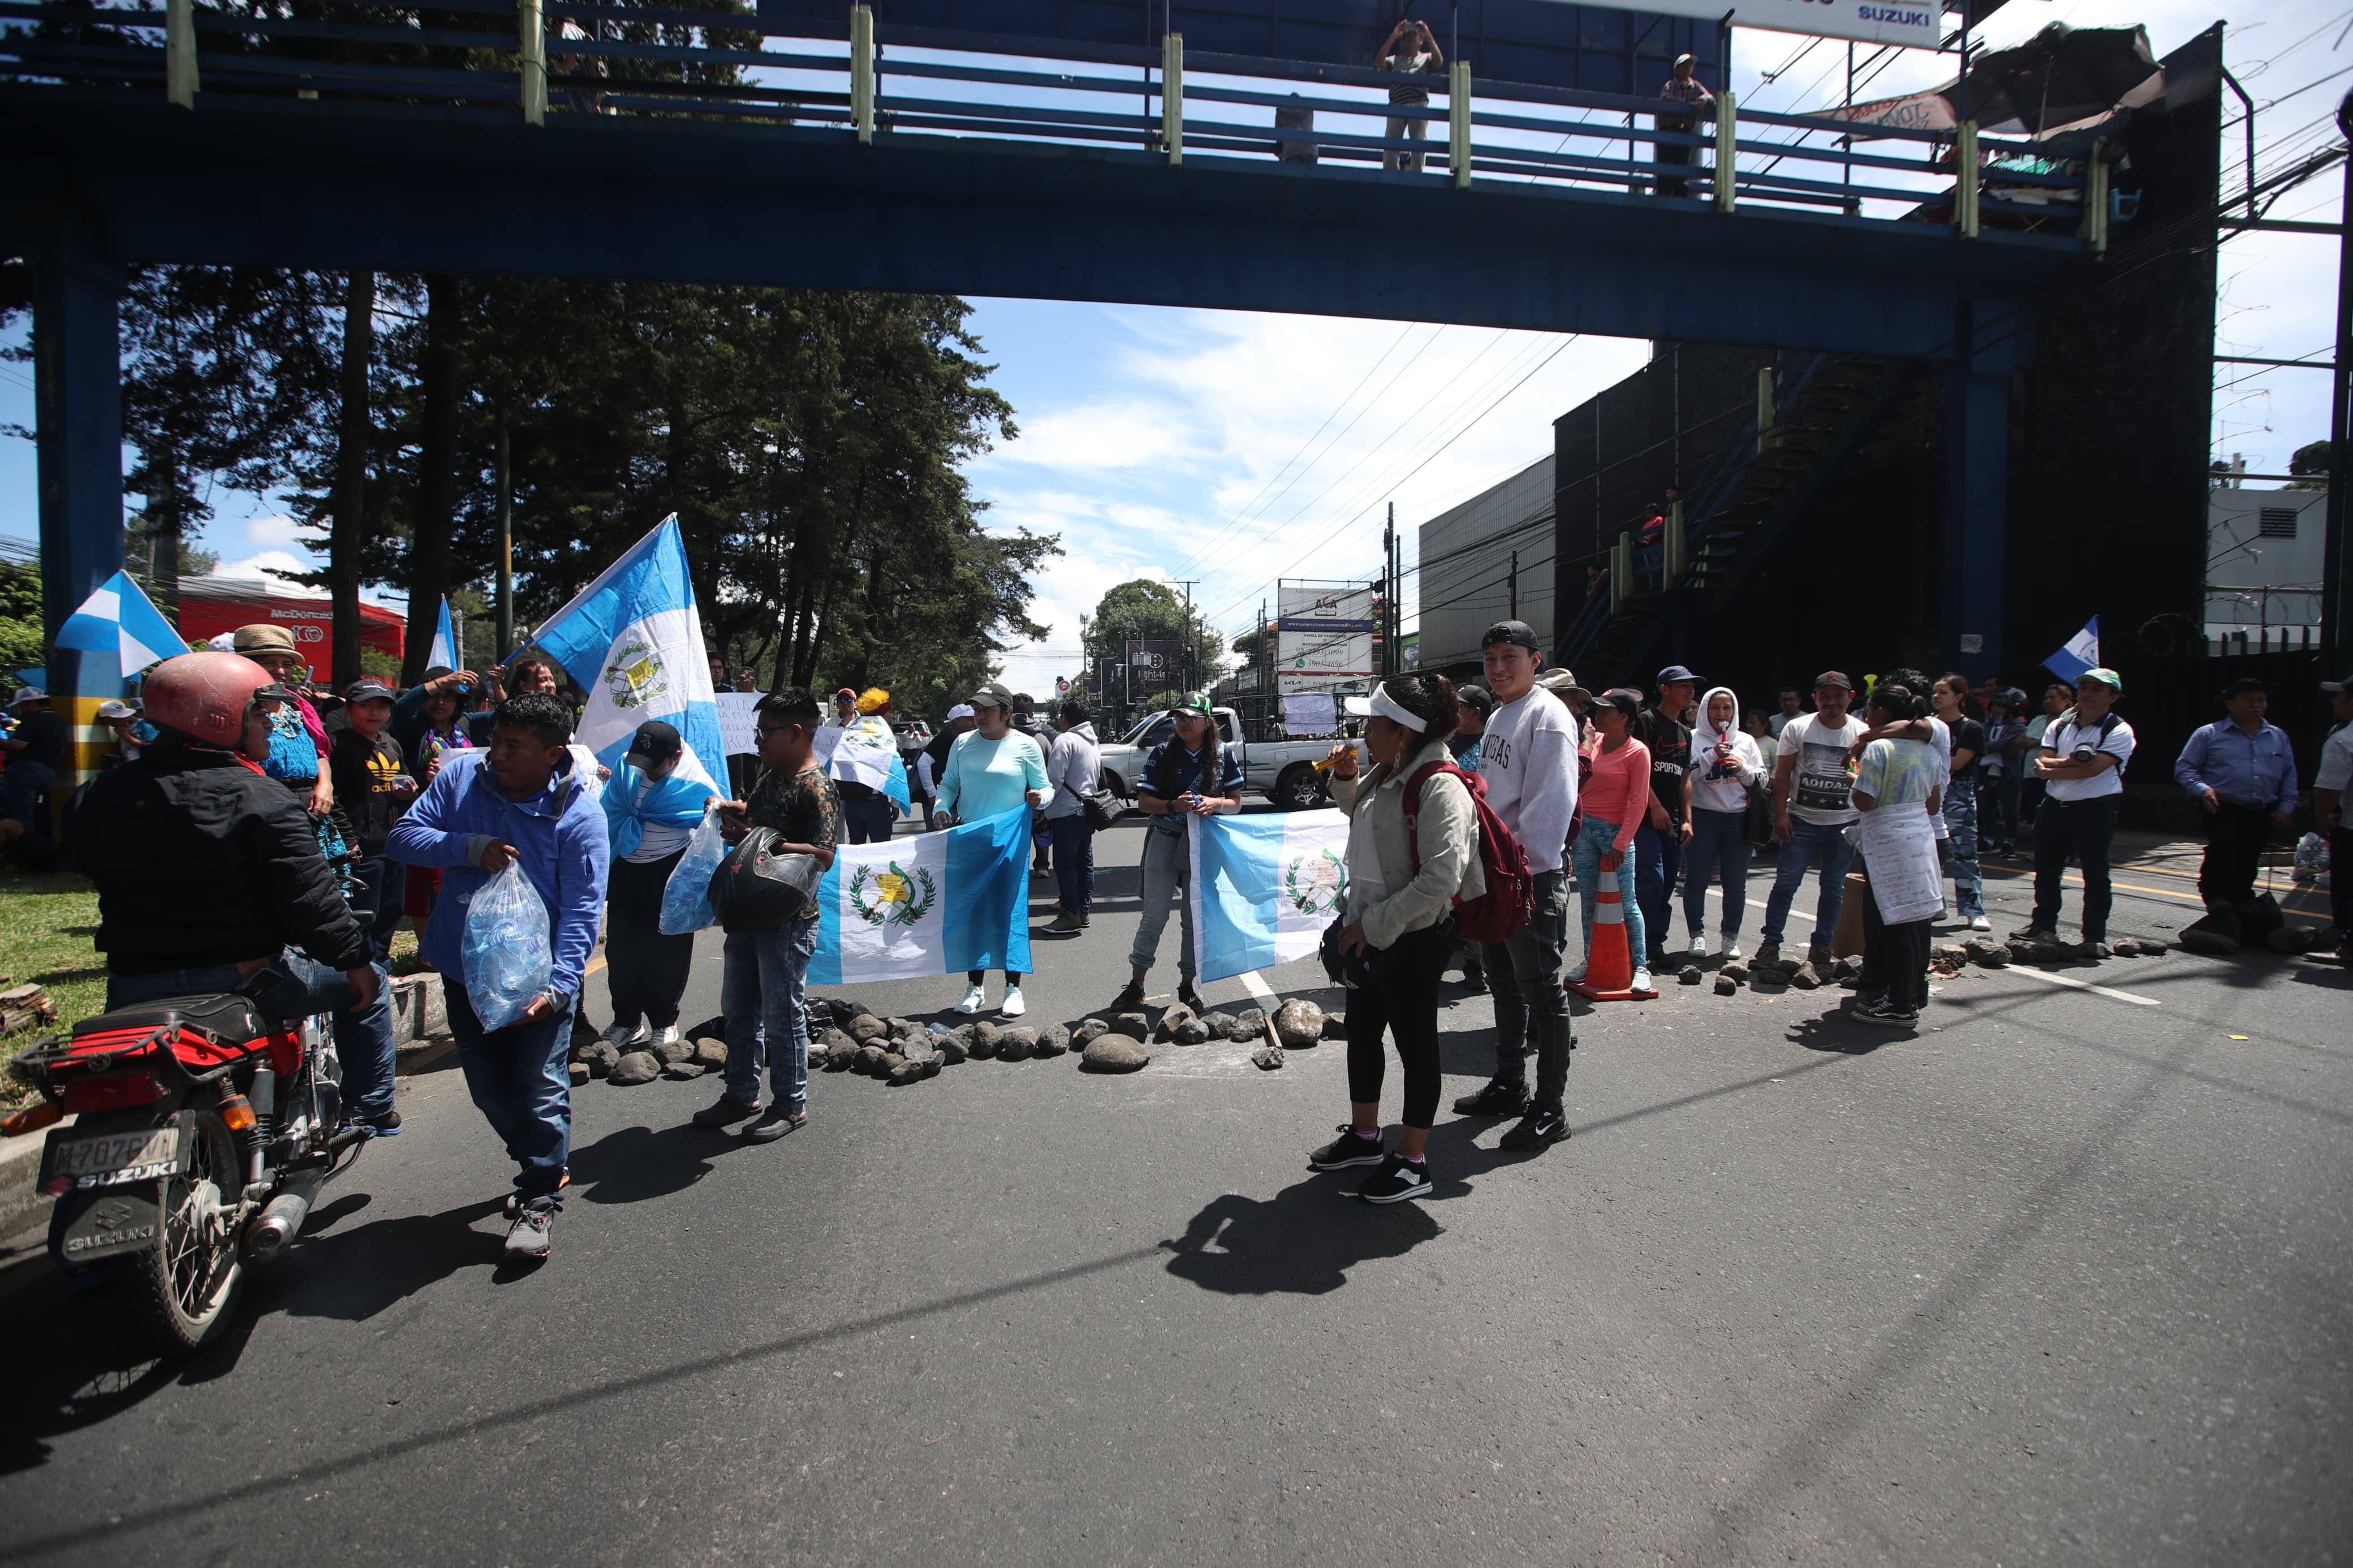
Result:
x=204 y=862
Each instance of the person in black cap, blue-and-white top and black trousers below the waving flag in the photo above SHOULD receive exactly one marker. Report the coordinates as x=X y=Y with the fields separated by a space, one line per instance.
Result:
x=648 y=817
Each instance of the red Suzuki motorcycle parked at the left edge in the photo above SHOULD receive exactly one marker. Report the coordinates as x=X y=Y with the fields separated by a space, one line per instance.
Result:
x=204 y=1130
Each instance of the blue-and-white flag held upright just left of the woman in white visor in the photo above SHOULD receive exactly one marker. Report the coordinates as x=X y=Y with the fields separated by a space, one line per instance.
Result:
x=1265 y=887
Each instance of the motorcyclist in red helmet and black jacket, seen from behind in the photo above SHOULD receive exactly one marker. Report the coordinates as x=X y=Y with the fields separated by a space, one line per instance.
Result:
x=208 y=871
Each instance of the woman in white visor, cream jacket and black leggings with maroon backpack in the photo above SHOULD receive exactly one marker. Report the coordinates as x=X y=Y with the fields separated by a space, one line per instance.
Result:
x=1404 y=883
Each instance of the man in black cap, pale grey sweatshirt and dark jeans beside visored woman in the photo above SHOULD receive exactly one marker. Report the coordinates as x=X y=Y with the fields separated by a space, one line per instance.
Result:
x=1528 y=763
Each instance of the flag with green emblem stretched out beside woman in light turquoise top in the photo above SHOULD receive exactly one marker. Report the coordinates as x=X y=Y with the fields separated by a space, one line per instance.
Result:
x=935 y=904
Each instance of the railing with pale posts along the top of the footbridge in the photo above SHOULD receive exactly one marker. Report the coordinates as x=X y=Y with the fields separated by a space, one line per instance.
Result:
x=578 y=62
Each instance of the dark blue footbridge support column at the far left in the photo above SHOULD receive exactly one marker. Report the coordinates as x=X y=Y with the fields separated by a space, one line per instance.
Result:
x=79 y=450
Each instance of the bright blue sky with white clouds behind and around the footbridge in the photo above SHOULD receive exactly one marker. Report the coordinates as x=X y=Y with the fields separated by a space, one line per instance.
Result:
x=1241 y=448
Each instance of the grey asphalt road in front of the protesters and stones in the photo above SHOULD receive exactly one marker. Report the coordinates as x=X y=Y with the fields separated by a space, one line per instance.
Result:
x=2065 y=1278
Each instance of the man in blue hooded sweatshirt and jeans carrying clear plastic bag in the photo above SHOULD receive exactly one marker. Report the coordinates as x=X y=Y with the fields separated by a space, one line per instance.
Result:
x=521 y=800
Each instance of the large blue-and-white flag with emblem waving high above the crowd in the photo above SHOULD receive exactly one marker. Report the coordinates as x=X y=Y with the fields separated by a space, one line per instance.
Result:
x=634 y=641
